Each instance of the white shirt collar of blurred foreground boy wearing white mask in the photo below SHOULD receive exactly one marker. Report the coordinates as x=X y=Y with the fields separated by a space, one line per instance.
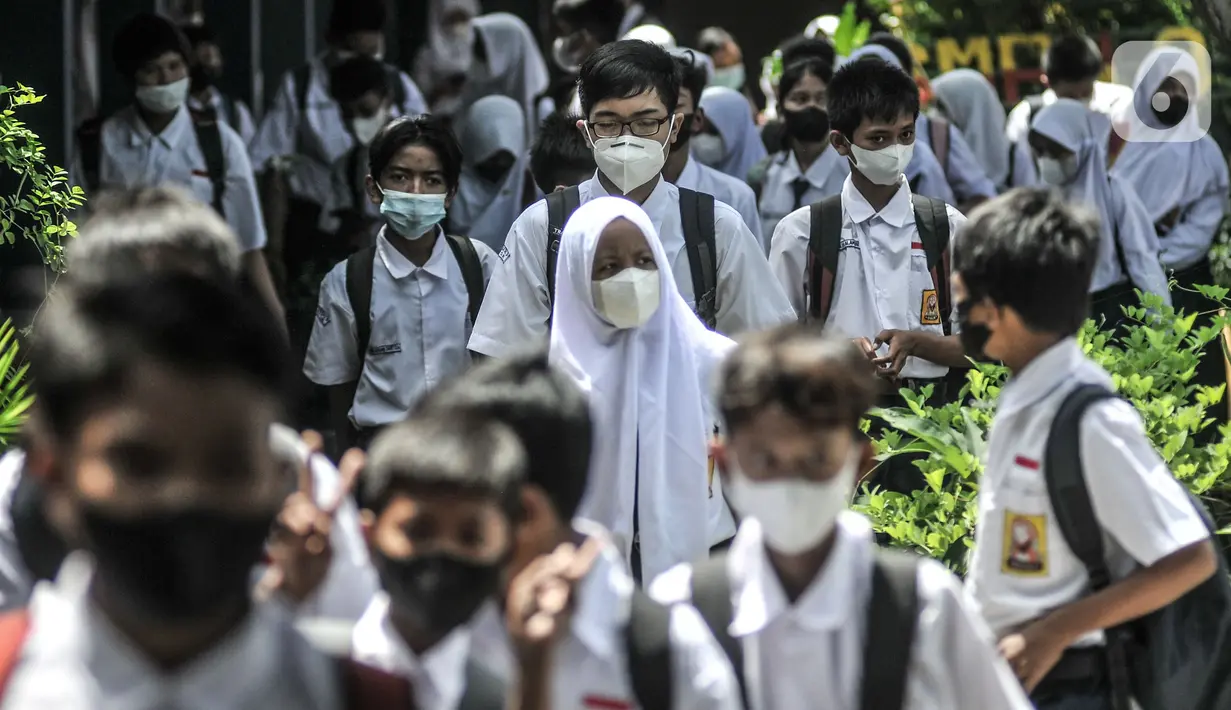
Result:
x=827 y=604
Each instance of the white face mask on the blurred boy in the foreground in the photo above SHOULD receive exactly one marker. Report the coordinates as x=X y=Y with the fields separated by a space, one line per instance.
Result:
x=795 y=515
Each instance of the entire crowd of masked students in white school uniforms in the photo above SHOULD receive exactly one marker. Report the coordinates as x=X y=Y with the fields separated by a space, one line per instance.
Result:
x=596 y=359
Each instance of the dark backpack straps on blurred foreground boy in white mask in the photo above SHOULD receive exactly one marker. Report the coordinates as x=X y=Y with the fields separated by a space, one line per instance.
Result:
x=893 y=616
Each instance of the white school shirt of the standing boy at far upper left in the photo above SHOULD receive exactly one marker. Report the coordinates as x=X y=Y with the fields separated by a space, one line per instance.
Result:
x=132 y=157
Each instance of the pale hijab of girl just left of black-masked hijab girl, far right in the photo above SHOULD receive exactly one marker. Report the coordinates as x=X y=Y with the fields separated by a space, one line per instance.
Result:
x=1086 y=134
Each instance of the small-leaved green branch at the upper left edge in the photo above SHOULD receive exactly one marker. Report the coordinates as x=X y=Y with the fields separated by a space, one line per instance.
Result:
x=39 y=210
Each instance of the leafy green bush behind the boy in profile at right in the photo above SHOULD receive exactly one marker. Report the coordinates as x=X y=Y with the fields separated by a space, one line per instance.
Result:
x=1153 y=366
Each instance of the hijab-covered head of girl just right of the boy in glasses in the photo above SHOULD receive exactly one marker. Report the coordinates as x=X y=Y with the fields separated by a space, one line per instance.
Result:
x=734 y=146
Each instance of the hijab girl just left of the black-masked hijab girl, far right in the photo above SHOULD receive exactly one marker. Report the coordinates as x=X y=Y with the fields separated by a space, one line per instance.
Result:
x=1070 y=146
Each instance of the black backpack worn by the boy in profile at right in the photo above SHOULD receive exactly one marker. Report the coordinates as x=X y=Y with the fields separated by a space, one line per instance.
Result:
x=1175 y=659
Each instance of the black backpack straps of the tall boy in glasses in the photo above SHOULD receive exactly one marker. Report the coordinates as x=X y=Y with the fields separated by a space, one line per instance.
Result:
x=697 y=216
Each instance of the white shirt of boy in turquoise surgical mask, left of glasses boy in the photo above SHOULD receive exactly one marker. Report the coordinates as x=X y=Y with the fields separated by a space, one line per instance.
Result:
x=420 y=325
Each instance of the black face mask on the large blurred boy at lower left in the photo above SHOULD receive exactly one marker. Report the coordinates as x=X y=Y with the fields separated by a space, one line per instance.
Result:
x=179 y=567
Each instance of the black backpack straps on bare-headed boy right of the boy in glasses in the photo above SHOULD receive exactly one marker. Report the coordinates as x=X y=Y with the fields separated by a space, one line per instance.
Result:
x=825 y=243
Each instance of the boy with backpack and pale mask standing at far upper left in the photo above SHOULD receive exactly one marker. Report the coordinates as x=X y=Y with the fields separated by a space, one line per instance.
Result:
x=156 y=142
